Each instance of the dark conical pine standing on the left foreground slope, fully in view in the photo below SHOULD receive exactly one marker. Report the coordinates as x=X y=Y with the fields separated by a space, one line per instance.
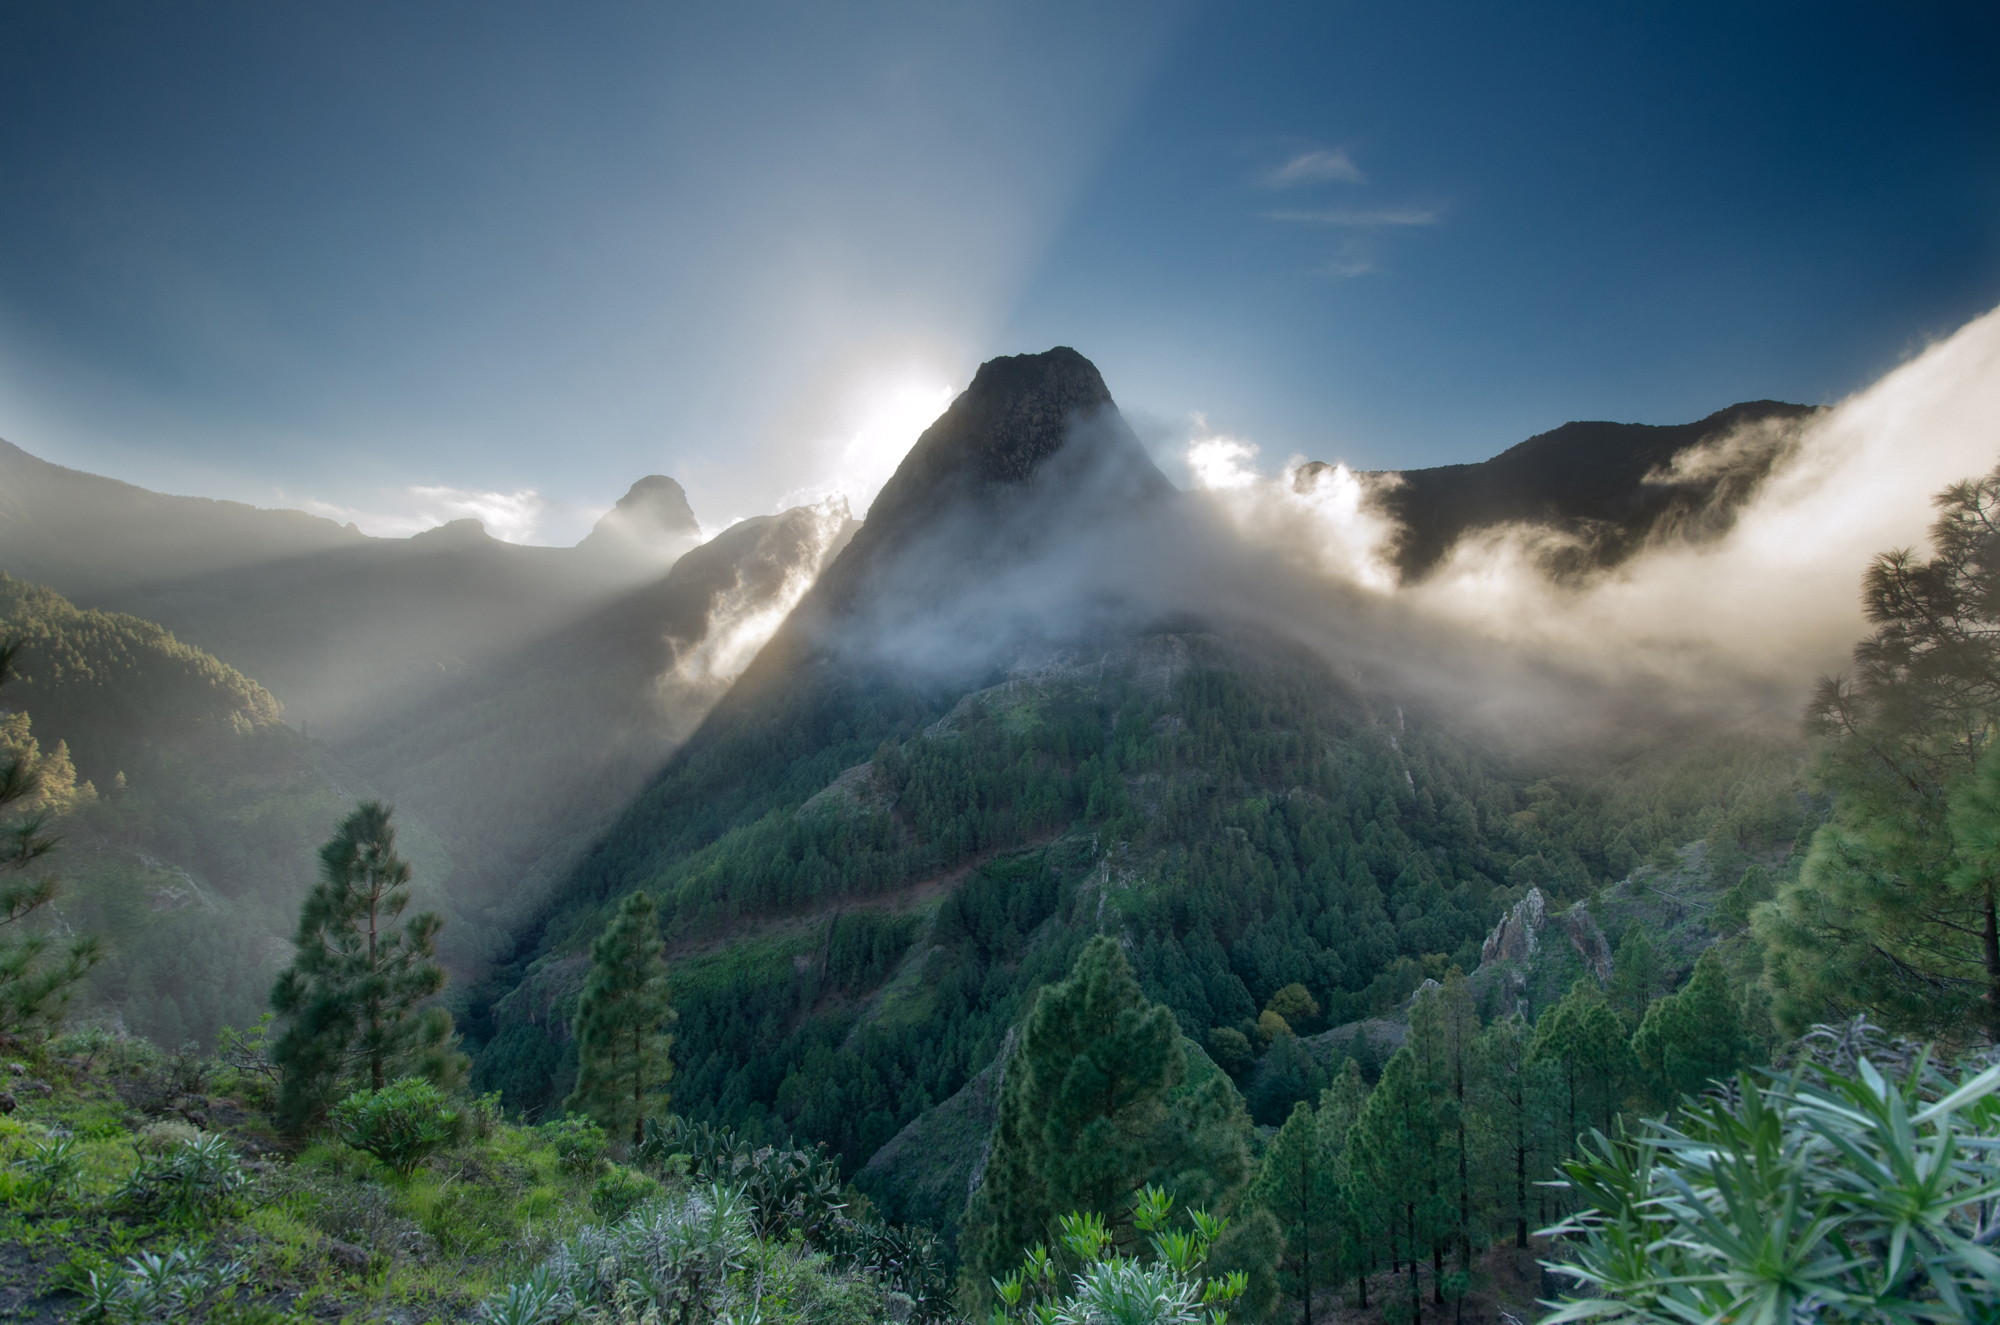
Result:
x=355 y=992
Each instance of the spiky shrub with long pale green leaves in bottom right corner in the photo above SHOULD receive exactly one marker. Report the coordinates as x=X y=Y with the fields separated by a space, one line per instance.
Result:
x=1815 y=1196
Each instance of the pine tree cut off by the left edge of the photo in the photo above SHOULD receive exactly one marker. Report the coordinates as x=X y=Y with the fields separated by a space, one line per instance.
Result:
x=35 y=986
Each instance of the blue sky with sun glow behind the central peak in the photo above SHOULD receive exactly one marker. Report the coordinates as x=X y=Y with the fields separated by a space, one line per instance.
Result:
x=415 y=261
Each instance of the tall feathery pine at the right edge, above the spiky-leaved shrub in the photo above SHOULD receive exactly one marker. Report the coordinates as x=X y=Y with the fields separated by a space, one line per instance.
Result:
x=1895 y=912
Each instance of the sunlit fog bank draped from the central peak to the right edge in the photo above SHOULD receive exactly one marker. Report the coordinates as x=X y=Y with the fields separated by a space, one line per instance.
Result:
x=1731 y=629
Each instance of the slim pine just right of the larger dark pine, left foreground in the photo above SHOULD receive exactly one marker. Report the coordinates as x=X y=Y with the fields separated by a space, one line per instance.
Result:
x=623 y=1044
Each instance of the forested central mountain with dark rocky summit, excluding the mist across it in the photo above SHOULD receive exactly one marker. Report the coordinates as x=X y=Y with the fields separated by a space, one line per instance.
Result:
x=867 y=864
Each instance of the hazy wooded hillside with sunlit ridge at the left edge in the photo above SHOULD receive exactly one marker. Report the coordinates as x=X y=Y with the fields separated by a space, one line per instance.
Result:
x=199 y=840
